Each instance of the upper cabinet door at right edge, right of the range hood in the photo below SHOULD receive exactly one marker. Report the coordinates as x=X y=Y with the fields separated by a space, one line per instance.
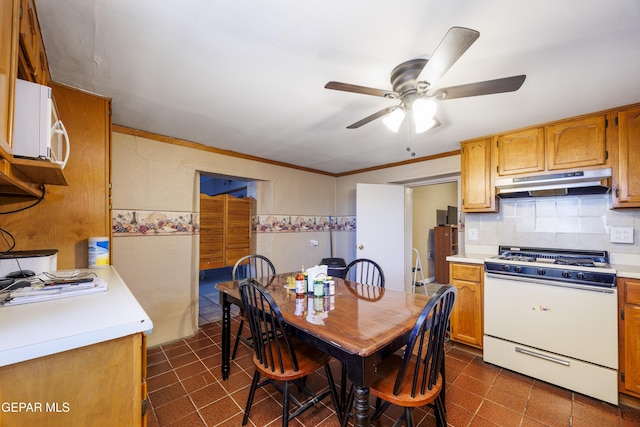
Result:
x=626 y=175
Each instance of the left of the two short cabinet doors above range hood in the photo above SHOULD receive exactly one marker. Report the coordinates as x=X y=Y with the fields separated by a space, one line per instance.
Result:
x=521 y=152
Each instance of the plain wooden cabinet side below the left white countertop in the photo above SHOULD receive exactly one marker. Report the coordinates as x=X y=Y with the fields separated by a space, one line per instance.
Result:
x=97 y=385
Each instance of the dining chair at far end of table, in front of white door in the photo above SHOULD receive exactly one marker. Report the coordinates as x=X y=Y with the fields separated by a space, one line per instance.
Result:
x=364 y=272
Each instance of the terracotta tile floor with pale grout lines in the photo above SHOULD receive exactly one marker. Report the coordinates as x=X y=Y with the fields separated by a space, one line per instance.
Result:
x=186 y=389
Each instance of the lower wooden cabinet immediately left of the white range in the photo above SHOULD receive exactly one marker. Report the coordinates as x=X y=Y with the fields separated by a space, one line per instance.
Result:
x=467 y=317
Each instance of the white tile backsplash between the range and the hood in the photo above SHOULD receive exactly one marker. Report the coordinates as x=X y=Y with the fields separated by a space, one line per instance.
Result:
x=571 y=222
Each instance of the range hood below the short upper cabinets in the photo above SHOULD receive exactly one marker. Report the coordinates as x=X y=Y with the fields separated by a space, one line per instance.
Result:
x=594 y=181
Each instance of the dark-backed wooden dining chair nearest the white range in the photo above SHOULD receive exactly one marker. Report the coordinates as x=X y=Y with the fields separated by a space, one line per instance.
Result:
x=414 y=378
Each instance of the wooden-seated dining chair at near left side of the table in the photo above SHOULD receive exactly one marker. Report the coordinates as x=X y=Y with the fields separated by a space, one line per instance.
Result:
x=280 y=357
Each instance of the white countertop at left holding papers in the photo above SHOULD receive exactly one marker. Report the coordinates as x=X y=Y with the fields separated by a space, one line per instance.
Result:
x=42 y=328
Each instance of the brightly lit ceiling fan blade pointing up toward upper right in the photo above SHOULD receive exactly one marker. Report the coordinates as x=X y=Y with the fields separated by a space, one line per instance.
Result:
x=453 y=45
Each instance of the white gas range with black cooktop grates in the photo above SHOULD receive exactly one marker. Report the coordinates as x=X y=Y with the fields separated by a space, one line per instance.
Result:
x=552 y=314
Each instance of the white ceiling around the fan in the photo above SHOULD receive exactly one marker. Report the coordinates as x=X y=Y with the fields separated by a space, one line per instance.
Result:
x=249 y=76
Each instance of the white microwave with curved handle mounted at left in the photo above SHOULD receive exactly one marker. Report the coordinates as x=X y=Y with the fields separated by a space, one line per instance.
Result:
x=37 y=132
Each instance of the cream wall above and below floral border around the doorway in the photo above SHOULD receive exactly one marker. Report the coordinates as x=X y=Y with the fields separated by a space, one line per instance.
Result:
x=162 y=271
